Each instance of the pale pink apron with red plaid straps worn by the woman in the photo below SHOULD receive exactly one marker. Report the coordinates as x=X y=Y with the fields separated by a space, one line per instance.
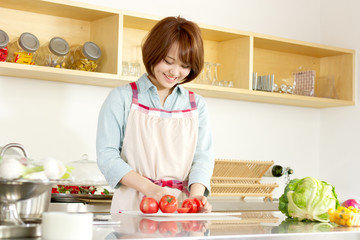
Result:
x=159 y=145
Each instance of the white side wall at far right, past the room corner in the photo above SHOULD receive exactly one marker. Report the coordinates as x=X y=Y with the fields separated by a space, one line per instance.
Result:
x=340 y=127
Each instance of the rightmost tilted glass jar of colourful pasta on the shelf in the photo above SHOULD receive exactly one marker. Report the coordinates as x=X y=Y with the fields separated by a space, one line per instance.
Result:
x=84 y=57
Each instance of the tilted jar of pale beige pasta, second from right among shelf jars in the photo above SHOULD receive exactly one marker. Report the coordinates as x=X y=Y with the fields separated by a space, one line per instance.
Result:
x=53 y=53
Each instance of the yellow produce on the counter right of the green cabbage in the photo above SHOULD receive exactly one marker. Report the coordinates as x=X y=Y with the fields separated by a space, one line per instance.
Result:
x=349 y=217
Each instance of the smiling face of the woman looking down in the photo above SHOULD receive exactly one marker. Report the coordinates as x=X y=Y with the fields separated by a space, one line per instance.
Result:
x=170 y=71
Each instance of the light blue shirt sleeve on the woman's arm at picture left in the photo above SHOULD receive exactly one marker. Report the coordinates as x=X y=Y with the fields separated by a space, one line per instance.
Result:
x=110 y=135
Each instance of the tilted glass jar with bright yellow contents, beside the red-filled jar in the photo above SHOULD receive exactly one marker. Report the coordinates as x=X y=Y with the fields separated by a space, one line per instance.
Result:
x=23 y=49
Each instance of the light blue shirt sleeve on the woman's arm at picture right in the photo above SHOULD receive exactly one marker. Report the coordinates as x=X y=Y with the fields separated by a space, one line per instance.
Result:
x=203 y=162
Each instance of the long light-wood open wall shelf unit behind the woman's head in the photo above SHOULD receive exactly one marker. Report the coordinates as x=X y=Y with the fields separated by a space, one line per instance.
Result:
x=119 y=34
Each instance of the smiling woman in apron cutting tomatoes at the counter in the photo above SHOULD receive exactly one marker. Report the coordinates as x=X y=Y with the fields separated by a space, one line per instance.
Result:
x=154 y=136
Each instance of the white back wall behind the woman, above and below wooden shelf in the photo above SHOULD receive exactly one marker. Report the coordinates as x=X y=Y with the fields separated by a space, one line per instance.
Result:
x=59 y=120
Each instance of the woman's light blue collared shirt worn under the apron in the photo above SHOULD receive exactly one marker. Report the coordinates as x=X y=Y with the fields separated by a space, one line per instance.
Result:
x=112 y=124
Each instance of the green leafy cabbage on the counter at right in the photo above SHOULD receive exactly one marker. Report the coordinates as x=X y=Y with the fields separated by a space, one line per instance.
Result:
x=308 y=199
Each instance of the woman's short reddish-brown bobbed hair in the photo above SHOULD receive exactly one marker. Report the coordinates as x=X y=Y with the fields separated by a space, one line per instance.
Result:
x=172 y=30
